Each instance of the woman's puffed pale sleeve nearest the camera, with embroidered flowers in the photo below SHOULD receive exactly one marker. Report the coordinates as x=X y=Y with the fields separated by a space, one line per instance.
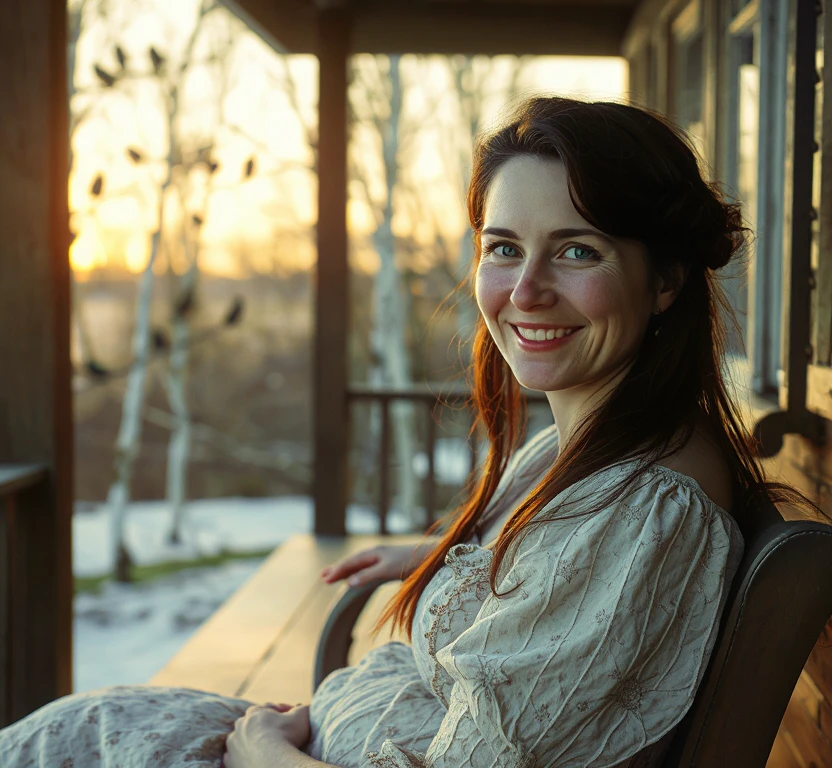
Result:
x=600 y=649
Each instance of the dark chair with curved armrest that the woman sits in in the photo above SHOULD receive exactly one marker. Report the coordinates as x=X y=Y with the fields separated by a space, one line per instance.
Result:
x=778 y=605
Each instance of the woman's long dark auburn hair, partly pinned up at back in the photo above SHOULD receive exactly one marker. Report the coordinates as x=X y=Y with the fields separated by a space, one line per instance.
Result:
x=631 y=175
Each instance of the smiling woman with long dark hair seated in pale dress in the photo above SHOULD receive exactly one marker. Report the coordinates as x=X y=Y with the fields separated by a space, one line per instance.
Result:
x=566 y=613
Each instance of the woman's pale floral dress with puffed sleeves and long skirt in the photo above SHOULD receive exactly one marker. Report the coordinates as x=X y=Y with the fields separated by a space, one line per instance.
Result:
x=591 y=661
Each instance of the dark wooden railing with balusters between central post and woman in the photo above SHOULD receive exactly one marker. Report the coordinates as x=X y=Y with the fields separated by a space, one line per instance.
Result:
x=429 y=400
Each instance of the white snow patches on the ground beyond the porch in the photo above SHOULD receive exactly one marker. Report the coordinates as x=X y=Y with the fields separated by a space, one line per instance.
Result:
x=128 y=632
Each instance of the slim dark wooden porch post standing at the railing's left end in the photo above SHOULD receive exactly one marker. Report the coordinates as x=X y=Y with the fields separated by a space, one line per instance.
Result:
x=331 y=278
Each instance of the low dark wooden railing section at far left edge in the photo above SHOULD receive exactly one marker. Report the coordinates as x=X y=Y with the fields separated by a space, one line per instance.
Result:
x=26 y=615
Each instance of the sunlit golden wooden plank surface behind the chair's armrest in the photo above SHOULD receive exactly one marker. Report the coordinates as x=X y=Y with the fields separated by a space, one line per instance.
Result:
x=260 y=644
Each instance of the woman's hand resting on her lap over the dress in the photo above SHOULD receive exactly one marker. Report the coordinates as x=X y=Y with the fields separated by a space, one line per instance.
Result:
x=262 y=730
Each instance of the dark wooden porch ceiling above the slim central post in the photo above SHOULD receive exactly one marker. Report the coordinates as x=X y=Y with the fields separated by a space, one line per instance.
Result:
x=540 y=27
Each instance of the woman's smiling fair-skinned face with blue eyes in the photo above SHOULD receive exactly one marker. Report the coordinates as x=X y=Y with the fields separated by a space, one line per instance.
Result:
x=566 y=305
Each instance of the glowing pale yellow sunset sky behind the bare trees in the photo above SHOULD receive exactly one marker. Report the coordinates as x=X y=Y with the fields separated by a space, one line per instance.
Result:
x=242 y=107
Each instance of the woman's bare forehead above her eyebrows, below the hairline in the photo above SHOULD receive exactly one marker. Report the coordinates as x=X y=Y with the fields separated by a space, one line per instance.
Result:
x=527 y=192
